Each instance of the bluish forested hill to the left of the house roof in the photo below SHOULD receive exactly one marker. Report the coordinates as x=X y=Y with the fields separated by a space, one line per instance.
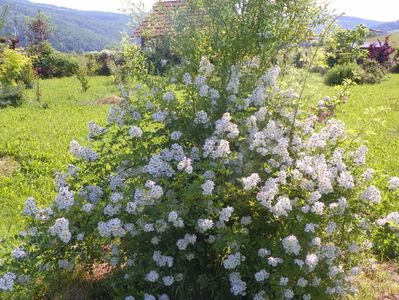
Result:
x=75 y=30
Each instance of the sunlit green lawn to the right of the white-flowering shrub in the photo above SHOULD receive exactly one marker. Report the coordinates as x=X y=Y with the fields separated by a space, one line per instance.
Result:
x=373 y=112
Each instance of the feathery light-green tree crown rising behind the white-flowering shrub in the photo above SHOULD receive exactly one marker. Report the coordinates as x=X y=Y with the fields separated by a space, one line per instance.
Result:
x=229 y=31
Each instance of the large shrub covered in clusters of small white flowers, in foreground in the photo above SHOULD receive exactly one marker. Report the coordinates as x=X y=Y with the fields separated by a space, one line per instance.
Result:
x=207 y=194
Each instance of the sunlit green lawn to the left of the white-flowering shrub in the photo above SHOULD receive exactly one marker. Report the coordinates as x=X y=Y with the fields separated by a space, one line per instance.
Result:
x=34 y=141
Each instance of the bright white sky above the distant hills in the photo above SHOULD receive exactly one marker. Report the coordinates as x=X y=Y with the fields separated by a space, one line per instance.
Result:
x=380 y=10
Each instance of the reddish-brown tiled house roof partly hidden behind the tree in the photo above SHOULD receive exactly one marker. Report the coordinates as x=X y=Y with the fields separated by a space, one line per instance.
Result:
x=159 y=20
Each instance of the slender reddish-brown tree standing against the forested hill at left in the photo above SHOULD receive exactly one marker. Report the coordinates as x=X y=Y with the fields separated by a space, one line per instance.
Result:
x=38 y=31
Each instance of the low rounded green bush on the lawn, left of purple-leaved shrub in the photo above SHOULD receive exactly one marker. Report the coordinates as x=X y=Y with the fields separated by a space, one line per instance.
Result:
x=338 y=74
